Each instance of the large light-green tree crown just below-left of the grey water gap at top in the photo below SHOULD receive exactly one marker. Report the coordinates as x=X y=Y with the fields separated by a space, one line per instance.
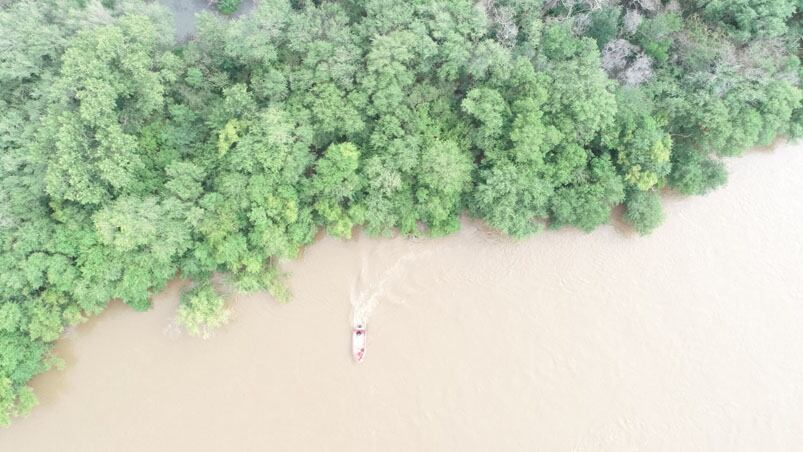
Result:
x=110 y=84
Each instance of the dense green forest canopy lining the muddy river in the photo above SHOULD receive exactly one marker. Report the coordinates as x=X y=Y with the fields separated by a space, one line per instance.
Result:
x=126 y=159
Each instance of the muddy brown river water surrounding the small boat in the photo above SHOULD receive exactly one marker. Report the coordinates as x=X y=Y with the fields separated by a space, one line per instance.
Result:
x=688 y=339
